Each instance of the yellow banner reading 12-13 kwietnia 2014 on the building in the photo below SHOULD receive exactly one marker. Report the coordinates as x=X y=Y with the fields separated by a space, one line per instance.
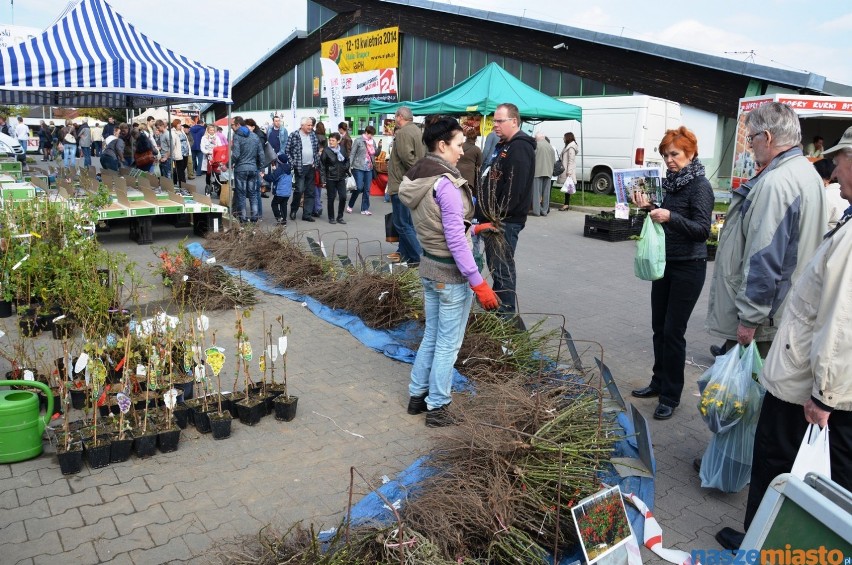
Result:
x=365 y=52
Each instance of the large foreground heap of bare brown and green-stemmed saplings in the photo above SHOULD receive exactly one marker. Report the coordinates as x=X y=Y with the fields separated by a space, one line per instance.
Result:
x=495 y=476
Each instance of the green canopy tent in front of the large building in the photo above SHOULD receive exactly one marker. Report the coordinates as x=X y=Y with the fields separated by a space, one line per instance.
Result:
x=481 y=93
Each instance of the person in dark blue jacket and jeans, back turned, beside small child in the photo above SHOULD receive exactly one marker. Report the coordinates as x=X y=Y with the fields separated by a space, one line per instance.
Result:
x=247 y=157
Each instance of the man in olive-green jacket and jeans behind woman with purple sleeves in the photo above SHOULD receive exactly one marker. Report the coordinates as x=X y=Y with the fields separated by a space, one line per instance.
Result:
x=407 y=149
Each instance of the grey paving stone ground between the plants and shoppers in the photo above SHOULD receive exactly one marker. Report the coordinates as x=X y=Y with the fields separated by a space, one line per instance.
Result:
x=175 y=507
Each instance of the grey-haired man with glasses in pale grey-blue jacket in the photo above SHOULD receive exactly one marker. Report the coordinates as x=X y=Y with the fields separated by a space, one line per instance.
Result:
x=774 y=225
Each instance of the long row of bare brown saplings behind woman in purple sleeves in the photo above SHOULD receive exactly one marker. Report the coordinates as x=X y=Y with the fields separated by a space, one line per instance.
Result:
x=381 y=299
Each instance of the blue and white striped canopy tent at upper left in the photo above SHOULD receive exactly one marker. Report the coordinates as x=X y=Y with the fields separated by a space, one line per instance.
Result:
x=92 y=57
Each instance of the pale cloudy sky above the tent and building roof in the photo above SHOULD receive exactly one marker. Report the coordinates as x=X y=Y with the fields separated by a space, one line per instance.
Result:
x=789 y=34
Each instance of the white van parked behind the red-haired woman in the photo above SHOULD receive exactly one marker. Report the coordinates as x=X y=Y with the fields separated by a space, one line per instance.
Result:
x=618 y=132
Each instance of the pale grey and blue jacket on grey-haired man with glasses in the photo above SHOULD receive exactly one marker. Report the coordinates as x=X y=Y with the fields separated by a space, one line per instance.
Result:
x=774 y=225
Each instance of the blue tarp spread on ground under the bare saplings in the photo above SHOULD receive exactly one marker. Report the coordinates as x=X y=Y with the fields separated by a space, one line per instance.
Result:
x=371 y=507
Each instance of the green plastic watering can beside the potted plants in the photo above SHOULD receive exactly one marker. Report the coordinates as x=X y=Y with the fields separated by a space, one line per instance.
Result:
x=21 y=426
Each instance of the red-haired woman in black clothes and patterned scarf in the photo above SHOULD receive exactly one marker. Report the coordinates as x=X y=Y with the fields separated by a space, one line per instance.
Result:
x=685 y=215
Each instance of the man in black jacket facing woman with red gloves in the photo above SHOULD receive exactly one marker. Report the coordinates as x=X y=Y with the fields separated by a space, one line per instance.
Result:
x=504 y=200
